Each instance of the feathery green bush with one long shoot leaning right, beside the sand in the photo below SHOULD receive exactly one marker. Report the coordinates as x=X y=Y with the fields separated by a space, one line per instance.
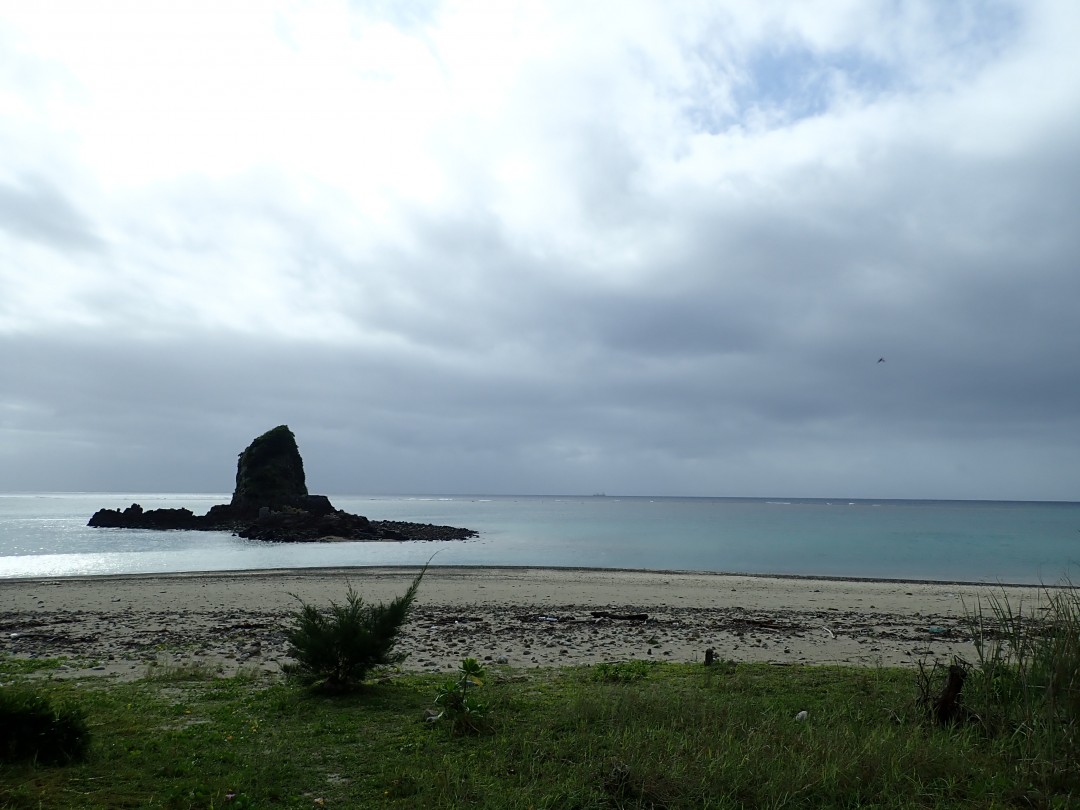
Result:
x=337 y=647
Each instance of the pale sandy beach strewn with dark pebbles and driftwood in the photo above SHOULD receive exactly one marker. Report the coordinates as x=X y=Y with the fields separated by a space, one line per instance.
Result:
x=127 y=627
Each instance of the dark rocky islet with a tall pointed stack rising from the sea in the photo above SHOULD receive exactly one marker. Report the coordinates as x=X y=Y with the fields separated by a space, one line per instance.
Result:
x=272 y=503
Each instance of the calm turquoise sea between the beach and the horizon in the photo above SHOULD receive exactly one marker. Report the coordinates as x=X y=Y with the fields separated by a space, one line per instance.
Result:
x=45 y=535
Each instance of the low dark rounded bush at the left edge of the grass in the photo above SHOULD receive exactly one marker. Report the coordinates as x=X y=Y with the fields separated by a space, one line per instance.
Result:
x=33 y=728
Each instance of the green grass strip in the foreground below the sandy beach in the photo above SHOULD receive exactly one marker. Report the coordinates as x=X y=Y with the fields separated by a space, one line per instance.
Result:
x=642 y=736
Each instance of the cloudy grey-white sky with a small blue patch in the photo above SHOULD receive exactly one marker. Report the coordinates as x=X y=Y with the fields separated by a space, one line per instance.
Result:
x=544 y=248
